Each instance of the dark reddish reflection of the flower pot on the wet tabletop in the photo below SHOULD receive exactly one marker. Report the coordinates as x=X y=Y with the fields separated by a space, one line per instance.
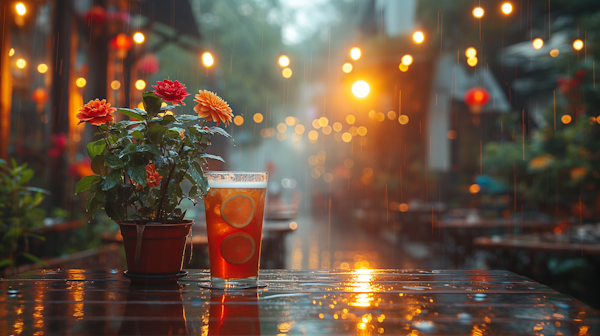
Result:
x=159 y=311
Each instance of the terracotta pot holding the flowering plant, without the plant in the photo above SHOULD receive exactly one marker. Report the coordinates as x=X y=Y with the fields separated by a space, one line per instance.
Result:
x=159 y=256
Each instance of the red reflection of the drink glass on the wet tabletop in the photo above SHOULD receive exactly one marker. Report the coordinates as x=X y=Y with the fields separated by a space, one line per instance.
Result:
x=234 y=313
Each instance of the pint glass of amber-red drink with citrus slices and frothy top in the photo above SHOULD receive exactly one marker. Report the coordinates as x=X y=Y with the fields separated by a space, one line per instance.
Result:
x=234 y=208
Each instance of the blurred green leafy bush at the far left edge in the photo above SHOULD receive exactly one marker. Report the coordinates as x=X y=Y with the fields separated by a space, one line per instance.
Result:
x=19 y=215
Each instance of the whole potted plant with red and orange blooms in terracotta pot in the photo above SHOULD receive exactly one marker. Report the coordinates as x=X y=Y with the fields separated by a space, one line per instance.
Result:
x=140 y=166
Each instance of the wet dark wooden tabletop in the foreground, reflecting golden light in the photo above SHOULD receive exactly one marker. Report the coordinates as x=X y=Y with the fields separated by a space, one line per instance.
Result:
x=363 y=302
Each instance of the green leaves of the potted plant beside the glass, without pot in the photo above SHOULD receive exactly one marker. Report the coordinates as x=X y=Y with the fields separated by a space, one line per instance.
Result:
x=123 y=159
